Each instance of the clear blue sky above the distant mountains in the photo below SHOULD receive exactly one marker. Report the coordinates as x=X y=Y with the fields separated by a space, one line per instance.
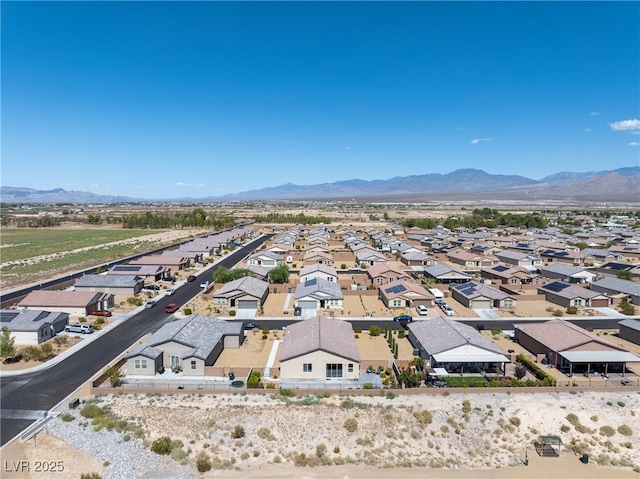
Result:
x=166 y=100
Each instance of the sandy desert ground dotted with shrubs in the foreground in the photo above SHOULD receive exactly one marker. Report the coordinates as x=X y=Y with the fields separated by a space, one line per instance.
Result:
x=488 y=437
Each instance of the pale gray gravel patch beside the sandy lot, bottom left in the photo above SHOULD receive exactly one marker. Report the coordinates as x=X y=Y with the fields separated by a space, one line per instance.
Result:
x=127 y=459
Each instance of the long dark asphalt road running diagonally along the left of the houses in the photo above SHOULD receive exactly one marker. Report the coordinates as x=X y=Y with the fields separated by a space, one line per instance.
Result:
x=25 y=398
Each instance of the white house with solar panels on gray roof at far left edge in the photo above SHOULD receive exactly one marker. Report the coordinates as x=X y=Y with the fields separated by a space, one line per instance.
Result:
x=32 y=327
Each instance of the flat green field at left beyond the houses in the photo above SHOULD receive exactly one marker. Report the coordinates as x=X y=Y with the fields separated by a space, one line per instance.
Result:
x=23 y=244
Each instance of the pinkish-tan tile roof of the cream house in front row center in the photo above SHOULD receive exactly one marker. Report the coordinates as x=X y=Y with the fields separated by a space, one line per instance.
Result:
x=326 y=334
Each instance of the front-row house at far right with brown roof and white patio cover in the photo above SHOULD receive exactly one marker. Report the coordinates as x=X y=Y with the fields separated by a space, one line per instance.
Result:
x=572 y=349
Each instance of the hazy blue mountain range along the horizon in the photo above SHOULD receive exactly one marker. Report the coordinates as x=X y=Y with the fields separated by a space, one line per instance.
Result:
x=621 y=185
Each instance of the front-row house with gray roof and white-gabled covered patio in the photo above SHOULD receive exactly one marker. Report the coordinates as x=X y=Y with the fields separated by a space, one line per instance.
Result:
x=455 y=347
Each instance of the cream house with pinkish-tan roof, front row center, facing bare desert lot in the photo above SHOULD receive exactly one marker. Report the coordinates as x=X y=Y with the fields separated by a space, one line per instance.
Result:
x=319 y=348
